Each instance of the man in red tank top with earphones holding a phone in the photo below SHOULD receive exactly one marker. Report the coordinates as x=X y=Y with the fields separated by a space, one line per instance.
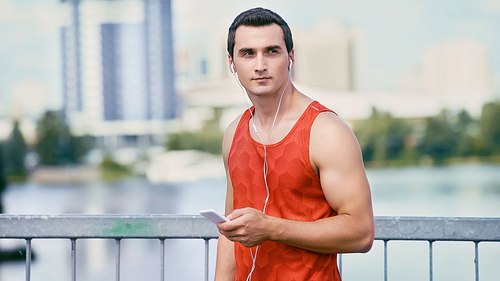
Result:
x=297 y=192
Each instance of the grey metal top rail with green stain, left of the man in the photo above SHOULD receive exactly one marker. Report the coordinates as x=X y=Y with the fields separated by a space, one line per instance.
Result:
x=106 y=226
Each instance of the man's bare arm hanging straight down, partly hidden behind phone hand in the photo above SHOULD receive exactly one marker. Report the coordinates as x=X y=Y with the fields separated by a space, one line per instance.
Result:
x=226 y=267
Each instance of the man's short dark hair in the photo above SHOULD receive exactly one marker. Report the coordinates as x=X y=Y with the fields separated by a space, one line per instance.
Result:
x=259 y=17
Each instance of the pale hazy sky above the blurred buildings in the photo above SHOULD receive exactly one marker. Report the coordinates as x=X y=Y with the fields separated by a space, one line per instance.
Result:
x=397 y=33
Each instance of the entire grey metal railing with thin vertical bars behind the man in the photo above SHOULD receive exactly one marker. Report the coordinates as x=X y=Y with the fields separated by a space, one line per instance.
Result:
x=163 y=227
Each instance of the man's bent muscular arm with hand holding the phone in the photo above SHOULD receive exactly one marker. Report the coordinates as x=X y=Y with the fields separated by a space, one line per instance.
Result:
x=336 y=156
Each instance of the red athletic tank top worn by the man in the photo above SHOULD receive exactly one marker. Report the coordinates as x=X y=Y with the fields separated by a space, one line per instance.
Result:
x=295 y=194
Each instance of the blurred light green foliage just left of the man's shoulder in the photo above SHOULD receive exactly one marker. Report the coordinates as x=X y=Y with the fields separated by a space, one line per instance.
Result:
x=208 y=139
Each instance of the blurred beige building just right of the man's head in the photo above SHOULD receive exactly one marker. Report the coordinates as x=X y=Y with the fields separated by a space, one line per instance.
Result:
x=331 y=56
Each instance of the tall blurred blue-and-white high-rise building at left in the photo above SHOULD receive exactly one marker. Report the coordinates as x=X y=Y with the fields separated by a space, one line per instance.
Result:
x=118 y=69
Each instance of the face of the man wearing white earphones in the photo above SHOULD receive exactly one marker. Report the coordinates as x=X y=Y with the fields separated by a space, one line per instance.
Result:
x=260 y=58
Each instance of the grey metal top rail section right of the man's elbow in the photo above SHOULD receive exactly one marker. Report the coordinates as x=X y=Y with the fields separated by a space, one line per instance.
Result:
x=437 y=229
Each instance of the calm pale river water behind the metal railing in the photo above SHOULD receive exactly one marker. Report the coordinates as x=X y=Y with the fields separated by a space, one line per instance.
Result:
x=458 y=191
